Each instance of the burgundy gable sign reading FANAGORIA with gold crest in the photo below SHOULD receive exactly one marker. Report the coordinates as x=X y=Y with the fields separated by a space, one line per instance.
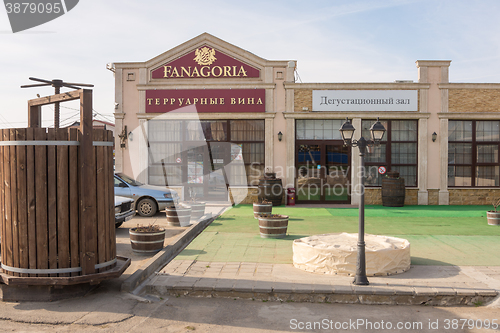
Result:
x=205 y=62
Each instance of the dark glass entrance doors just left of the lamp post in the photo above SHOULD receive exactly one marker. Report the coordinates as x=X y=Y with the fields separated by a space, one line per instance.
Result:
x=323 y=172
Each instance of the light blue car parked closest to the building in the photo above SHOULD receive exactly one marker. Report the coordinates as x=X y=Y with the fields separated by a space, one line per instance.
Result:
x=148 y=199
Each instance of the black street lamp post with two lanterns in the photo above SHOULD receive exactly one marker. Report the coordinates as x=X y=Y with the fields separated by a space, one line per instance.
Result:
x=377 y=133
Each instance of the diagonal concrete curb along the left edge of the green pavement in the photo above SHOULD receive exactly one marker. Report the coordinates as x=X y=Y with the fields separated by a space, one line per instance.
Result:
x=165 y=255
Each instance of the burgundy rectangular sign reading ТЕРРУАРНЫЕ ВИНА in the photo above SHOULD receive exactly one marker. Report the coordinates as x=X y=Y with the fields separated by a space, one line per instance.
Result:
x=206 y=100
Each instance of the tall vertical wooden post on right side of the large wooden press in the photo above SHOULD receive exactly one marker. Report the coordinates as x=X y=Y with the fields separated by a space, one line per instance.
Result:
x=88 y=227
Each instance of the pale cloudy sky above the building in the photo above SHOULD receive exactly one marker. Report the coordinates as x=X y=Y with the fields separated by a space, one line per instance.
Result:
x=332 y=41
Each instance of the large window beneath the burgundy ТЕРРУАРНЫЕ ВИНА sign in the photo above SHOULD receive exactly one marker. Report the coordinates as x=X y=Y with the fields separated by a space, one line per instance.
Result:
x=170 y=139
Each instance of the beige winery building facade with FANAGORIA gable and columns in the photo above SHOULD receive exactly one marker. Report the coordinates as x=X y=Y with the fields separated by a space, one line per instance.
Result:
x=187 y=114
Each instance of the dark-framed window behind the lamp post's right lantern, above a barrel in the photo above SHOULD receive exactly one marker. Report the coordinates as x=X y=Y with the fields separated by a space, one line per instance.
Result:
x=397 y=151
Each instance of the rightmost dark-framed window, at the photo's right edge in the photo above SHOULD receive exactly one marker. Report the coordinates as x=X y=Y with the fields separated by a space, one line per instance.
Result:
x=473 y=153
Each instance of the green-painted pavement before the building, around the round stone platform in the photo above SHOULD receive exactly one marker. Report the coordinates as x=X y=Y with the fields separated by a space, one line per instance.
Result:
x=439 y=235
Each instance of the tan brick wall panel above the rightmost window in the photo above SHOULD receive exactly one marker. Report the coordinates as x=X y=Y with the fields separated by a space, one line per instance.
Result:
x=474 y=100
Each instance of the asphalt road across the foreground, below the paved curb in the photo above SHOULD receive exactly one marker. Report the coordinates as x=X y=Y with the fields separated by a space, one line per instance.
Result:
x=108 y=310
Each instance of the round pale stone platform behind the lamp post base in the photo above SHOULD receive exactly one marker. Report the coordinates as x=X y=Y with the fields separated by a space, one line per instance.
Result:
x=337 y=254
